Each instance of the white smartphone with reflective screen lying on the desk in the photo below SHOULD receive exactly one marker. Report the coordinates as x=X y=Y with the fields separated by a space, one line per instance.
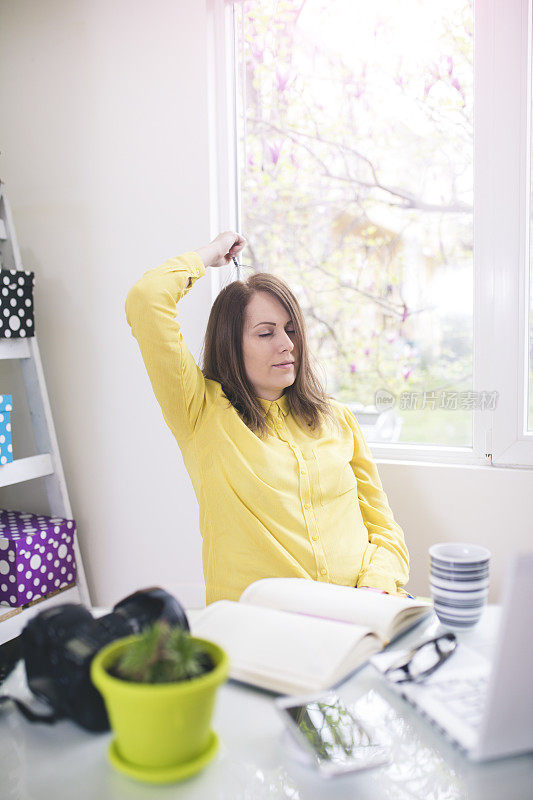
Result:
x=325 y=728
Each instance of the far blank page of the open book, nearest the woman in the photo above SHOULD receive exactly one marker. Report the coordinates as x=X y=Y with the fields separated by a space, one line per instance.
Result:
x=380 y=612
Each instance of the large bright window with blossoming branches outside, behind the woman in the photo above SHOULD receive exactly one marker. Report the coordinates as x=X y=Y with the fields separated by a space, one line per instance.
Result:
x=355 y=178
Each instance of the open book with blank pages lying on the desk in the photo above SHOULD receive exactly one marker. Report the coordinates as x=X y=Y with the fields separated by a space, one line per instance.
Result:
x=295 y=635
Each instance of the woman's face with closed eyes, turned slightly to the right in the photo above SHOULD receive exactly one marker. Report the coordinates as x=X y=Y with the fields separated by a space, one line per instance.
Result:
x=268 y=340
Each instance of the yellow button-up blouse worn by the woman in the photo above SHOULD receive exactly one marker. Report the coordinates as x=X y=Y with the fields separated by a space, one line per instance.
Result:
x=291 y=505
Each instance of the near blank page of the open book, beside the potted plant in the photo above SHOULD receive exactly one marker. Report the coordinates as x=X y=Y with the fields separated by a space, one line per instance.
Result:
x=292 y=649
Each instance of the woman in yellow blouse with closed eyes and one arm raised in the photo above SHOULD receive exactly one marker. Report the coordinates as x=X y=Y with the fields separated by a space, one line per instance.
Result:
x=284 y=479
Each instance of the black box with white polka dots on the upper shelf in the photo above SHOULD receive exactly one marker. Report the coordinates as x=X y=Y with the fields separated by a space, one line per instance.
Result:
x=16 y=304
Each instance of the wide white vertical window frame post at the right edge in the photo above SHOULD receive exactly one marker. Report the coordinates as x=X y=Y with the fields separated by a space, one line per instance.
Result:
x=503 y=57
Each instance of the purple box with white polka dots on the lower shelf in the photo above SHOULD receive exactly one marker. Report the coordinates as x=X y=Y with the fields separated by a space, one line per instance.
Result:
x=36 y=556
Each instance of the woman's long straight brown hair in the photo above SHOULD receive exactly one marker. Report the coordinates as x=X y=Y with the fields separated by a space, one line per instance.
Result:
x=224 y=361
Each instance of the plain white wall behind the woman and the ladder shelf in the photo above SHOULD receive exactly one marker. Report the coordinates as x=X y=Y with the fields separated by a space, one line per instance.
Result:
x=105 y=161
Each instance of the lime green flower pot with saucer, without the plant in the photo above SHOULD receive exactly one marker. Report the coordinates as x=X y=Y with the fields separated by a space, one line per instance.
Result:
x=160 y=728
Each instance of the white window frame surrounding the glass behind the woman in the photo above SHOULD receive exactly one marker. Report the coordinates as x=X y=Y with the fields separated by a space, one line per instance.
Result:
x=501 y=228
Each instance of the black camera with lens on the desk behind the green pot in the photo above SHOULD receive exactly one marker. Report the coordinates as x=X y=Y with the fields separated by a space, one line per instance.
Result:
x=59 y=644
